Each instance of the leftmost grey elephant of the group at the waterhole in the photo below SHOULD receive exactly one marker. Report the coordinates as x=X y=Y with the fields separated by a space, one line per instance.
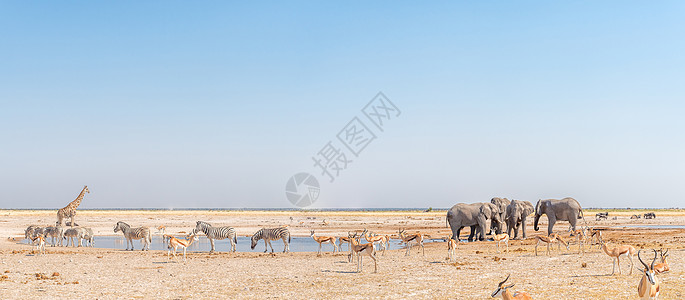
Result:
x=478 y=216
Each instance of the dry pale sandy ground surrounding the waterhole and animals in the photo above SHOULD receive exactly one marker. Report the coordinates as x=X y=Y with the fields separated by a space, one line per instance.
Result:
x=114 y=273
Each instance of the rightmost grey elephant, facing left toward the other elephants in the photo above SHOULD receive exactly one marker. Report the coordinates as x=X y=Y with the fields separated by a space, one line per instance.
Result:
x=567 y=209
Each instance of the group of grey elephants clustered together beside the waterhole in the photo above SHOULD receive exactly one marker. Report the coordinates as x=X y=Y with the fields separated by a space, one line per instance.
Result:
x=500 y=213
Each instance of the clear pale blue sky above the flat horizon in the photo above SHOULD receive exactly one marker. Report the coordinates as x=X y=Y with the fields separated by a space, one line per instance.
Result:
x=174 y=104
